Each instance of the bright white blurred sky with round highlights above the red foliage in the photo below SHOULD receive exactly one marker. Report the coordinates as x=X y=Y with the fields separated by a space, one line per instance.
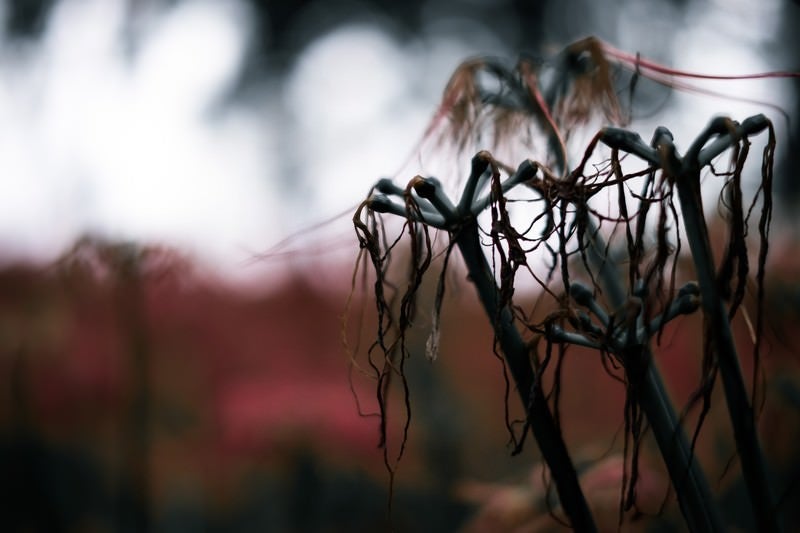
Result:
x=137 y=145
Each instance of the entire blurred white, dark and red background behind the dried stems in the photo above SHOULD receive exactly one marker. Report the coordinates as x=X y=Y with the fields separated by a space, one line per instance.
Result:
x=176 y=182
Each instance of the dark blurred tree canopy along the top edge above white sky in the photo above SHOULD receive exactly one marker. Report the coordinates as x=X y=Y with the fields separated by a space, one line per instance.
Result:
x=284 y=27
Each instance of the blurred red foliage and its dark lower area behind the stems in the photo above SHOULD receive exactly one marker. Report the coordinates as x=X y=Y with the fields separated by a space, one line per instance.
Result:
x=141 y=395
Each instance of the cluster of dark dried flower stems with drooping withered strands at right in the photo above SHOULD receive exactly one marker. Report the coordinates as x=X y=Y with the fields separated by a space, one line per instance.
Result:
x=579 y=238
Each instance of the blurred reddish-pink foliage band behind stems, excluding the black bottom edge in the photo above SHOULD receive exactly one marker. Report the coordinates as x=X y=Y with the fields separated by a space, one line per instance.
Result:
x=169 y=378
